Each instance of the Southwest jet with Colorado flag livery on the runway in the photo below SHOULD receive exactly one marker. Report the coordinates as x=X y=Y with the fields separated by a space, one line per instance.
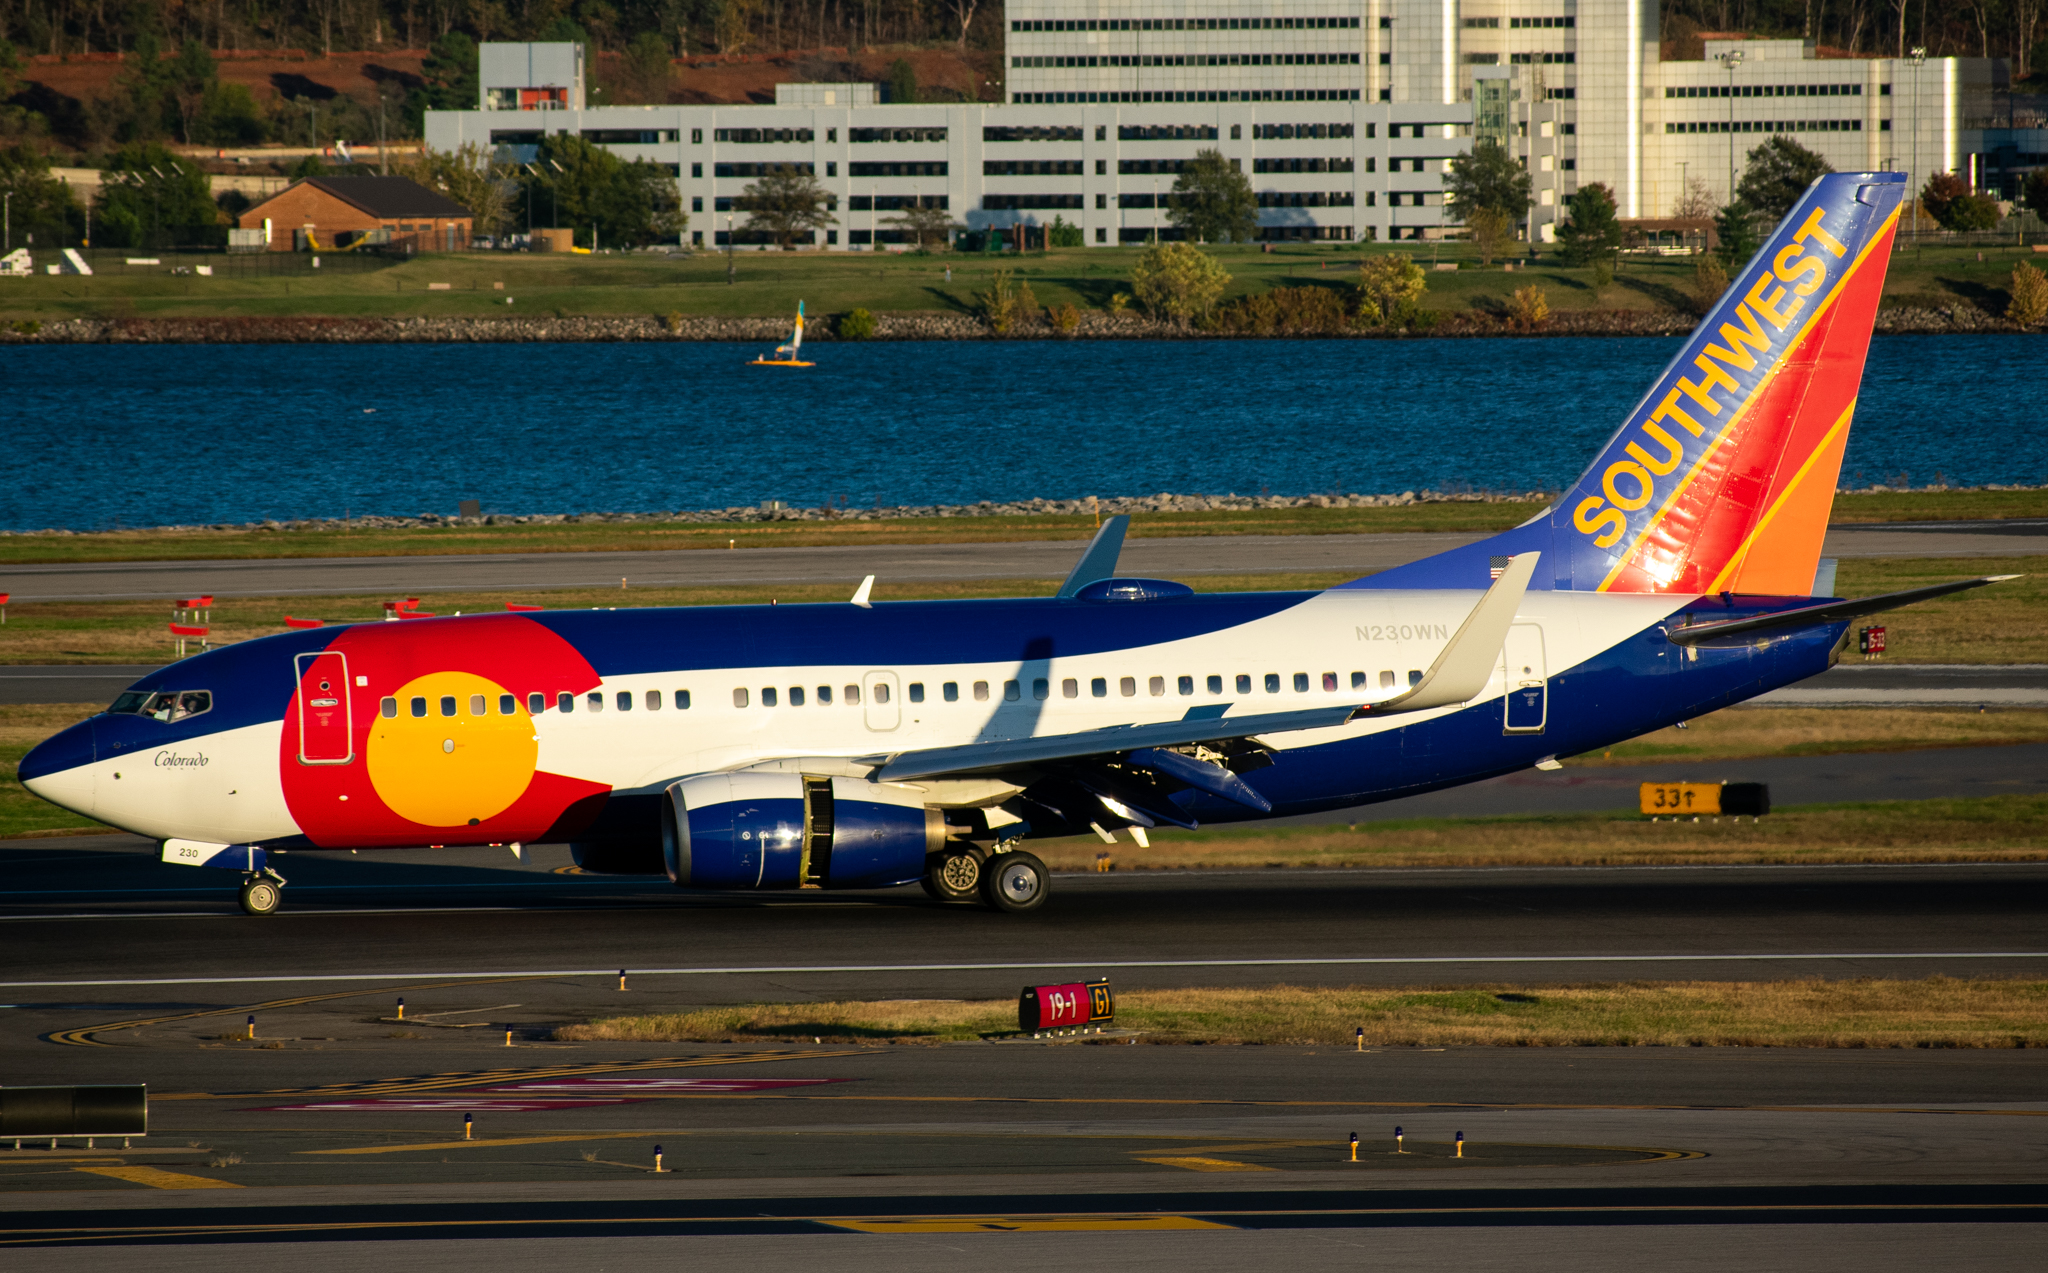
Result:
x=867 y=746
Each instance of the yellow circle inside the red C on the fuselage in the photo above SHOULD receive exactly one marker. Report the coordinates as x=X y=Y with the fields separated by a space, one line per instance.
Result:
x=447 y=771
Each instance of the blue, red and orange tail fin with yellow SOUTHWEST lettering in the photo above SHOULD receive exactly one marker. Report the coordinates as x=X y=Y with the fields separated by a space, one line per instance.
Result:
x=1723 y=476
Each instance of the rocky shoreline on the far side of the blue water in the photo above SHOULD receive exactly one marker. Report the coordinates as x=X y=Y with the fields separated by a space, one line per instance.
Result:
x=888 y=326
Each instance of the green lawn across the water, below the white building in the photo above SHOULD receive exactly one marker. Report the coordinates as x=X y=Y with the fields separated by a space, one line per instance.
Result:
x=771 y=283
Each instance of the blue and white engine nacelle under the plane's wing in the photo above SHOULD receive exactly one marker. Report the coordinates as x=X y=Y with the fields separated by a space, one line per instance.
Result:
x=794 y=830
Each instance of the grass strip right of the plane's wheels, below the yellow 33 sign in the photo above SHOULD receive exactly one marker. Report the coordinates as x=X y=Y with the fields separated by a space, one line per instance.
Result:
x=1967 y=830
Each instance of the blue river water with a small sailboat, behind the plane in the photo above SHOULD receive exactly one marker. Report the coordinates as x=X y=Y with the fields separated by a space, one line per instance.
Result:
x=177 y=435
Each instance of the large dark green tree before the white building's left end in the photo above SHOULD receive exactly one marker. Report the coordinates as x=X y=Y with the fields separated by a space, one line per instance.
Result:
x=589 y=189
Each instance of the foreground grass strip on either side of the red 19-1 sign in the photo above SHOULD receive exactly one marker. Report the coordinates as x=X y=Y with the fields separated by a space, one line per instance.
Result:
x=1730 y=1014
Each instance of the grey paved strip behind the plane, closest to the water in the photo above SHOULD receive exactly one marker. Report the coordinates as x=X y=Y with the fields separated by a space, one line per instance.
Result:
x=1037 y=560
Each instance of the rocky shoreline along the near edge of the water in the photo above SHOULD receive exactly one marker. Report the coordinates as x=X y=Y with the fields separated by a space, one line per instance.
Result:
x=988 y=509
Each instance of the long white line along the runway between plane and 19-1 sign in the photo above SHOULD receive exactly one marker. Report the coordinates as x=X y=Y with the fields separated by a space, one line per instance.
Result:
x=1084 y=965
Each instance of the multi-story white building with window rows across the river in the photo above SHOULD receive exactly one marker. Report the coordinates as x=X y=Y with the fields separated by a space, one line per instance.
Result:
x=1345 y=116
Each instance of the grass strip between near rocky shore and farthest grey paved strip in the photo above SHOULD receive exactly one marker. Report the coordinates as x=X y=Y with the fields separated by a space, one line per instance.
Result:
x=652 y=535
